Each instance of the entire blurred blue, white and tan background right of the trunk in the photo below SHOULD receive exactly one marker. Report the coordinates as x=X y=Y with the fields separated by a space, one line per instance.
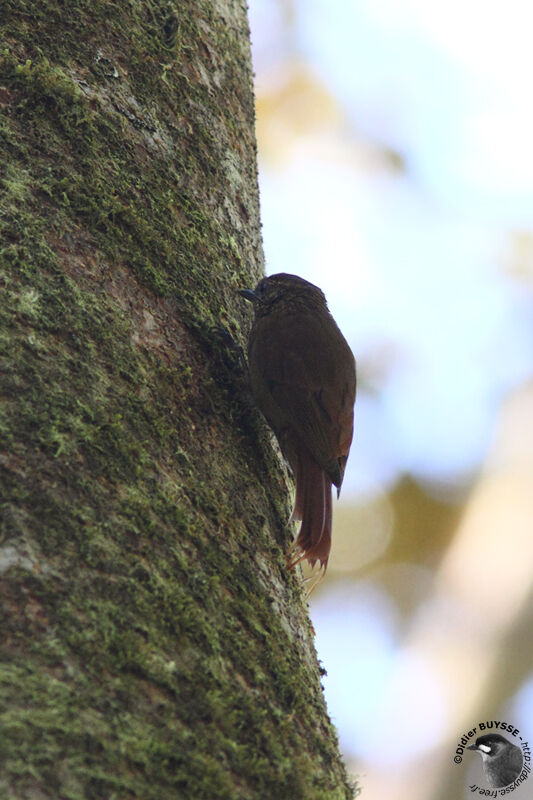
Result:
x=395 y=142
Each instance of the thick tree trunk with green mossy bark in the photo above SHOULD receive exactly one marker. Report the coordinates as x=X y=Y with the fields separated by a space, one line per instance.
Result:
x=153 y=643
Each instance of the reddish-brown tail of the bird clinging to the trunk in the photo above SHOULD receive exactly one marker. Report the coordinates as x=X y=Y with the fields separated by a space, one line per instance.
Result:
x=313 y=508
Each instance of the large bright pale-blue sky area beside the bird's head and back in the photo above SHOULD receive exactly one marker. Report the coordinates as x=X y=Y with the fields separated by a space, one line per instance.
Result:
x=413 y=262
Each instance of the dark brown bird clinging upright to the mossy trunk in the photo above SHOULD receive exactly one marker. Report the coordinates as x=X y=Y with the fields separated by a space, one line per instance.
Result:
x=302 y=374
